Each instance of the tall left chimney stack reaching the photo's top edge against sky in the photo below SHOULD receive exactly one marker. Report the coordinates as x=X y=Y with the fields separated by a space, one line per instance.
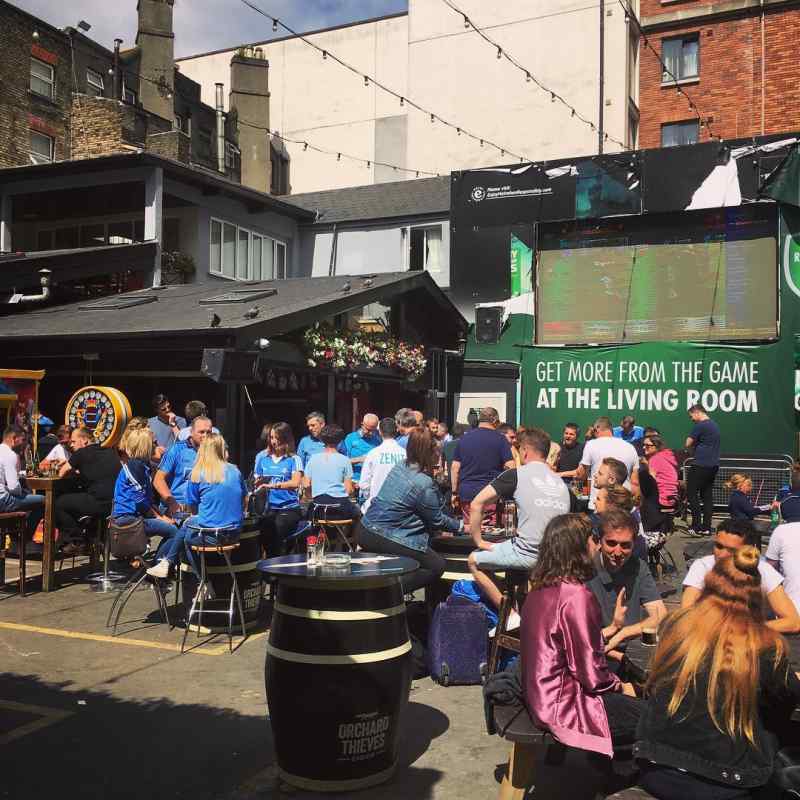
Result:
x=156 y=43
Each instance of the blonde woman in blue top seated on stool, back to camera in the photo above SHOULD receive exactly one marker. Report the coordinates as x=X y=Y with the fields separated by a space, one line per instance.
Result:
x=217 y=495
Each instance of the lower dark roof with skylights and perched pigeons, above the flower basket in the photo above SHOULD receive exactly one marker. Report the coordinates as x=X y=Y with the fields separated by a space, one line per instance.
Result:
x=190 y=309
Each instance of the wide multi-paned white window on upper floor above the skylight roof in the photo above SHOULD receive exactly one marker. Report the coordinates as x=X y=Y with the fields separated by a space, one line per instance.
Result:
x=244 y=255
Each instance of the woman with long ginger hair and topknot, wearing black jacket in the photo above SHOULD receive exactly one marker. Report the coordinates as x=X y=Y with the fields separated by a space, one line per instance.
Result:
x=718 y=677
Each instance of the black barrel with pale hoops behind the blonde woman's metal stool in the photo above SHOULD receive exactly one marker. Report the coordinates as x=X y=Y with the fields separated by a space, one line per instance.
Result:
x=243 y=560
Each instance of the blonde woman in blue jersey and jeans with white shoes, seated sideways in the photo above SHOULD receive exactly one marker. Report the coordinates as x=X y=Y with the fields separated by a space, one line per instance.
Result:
x=133 y=497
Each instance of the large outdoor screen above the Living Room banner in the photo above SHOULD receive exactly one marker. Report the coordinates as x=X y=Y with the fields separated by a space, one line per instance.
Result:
x=612 y=289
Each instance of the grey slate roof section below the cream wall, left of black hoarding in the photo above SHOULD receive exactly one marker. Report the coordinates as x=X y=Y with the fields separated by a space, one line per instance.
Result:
x=425 y=196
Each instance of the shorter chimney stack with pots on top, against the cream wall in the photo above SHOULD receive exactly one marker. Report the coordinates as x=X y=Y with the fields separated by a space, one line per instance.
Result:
x=249 y=96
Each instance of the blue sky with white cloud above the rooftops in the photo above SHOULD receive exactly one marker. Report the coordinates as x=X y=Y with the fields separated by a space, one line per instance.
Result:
x=203 y=25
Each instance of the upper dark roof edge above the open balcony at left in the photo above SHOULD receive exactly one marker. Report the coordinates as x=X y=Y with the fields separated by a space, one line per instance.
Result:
x=189 y=173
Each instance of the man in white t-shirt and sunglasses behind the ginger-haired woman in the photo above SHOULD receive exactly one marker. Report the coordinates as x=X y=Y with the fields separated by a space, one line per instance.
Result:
x=730 y=536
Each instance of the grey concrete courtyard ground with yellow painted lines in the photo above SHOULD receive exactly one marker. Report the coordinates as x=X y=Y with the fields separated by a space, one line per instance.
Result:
x=85 y=714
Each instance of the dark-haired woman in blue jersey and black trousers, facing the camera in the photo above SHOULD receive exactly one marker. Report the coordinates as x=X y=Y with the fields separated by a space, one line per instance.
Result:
x=278 y=472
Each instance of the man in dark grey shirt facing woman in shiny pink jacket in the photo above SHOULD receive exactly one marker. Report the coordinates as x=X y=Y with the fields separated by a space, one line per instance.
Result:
x=623 y=582
